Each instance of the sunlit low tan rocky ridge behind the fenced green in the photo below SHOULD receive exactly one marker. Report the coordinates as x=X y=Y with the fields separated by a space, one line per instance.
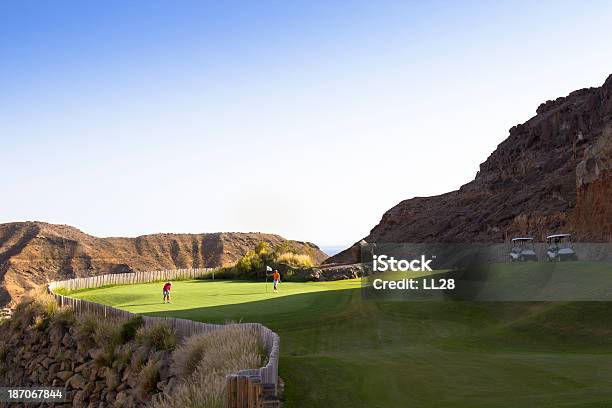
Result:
x=32 y=253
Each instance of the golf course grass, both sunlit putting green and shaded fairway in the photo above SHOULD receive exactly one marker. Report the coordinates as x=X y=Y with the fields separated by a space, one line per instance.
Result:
x=338 y=350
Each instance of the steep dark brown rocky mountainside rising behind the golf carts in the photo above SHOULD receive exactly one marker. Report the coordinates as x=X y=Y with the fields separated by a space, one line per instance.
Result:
x=553 y=173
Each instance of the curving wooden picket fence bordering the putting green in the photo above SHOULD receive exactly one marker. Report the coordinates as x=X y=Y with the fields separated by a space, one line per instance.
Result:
x=254 y=388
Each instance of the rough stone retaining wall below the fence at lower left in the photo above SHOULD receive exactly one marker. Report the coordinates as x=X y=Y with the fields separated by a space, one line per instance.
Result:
x=59 y=356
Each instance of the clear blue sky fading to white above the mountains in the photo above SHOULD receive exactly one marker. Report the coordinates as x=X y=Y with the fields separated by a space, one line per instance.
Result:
x=303 y=118
